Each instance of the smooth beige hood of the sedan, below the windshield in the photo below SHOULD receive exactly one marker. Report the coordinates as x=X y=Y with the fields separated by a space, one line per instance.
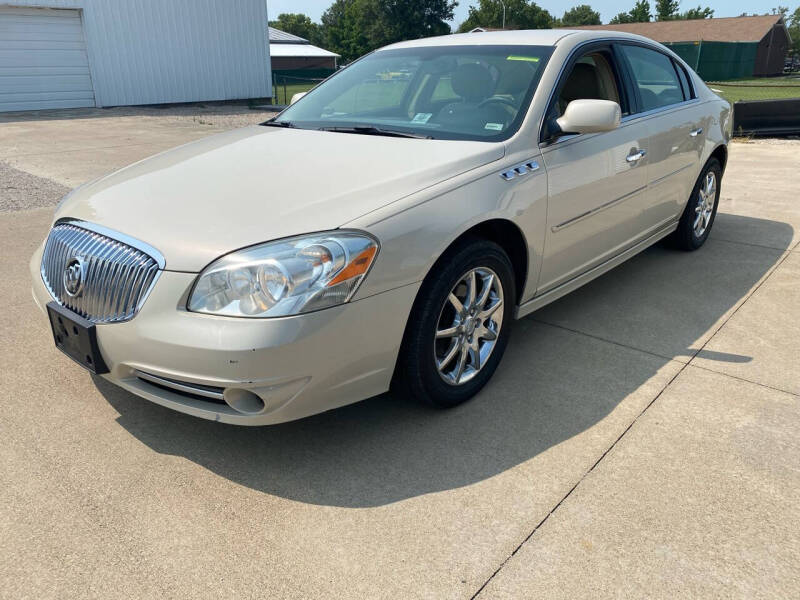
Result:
x=207 y=198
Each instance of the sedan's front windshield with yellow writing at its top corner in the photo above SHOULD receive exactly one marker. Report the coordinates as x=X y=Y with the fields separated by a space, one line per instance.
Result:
x=445 y=92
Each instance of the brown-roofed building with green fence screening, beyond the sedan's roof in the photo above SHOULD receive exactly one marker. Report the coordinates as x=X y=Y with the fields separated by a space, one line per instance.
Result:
x=720 y=49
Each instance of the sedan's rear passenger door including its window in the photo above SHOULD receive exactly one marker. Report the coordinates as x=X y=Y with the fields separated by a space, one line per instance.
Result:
x=677 y=126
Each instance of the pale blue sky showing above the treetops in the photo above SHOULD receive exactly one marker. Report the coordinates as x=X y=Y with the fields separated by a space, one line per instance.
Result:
x=607 y=8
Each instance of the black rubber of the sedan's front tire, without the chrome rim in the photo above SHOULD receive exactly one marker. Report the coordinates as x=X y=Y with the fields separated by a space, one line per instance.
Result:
x=417 y=368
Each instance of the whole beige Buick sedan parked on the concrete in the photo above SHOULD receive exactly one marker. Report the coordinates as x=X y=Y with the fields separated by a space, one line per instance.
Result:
x=386 y=229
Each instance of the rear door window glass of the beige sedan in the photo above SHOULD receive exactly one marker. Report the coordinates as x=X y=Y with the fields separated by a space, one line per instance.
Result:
x=655 y=76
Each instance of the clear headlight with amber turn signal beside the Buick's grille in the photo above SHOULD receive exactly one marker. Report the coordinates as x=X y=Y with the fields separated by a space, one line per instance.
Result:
x=286 y=277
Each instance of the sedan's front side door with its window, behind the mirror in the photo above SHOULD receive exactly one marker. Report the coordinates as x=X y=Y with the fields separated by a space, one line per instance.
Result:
x=596 y=182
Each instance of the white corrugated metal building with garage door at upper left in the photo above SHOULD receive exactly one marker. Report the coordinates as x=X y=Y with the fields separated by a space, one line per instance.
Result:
x=74 y=53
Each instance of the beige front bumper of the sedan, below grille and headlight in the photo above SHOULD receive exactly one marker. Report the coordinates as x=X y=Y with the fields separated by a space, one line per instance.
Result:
x=297 y=366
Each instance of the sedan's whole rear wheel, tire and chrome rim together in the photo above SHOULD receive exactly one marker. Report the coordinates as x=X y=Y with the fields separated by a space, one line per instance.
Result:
x=690 y=236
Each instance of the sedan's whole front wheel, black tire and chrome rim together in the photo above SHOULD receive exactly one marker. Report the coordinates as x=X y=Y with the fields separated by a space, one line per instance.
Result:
x=422 y=355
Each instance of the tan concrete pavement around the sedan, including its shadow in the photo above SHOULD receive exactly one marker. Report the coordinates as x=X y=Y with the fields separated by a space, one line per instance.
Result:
x=639 y=440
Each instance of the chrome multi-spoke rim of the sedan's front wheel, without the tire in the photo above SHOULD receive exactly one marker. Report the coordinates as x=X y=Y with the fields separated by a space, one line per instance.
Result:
x=469 y=325
